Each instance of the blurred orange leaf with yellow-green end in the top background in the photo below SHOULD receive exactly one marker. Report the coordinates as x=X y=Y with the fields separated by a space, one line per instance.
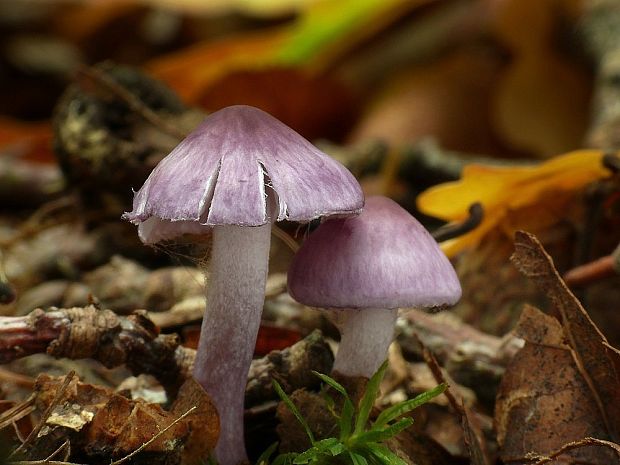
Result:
x=321 y=33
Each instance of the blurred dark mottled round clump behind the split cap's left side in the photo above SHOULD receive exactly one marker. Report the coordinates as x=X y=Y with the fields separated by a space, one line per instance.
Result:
x=111 y=127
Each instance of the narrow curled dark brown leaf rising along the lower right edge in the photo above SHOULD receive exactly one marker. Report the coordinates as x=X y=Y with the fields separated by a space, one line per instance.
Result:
x=596 y=360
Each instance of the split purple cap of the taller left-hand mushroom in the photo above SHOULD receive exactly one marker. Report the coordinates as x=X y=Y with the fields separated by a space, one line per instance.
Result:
x=222 y=172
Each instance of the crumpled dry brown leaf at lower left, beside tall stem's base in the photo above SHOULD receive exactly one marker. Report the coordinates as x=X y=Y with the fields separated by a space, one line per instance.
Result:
x=104 y=424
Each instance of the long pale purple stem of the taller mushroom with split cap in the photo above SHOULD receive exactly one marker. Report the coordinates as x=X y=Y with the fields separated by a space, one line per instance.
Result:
x=235 y=296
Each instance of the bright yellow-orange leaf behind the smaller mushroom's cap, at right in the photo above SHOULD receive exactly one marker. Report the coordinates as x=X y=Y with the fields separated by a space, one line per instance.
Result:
x=508 y=193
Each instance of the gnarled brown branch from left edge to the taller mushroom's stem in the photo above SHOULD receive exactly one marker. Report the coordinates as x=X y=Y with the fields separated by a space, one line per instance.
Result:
x=86 y=332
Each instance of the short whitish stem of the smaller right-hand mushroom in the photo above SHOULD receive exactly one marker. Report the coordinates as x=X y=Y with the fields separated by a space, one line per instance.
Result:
x=365 y=336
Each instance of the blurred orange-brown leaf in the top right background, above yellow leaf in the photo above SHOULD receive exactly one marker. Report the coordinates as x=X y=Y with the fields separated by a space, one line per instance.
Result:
x=541 y=101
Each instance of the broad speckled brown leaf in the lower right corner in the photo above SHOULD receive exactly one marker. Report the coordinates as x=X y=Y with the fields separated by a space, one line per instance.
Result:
x=544 y=401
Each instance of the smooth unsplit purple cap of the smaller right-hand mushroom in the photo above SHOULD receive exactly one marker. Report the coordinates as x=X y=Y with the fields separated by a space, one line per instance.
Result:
x=383 y=258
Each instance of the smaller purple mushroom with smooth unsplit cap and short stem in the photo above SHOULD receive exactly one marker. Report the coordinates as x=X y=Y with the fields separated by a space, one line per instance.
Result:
x=366 y=267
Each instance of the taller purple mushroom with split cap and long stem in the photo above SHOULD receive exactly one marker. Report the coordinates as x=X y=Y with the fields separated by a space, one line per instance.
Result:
x=239 y=171
